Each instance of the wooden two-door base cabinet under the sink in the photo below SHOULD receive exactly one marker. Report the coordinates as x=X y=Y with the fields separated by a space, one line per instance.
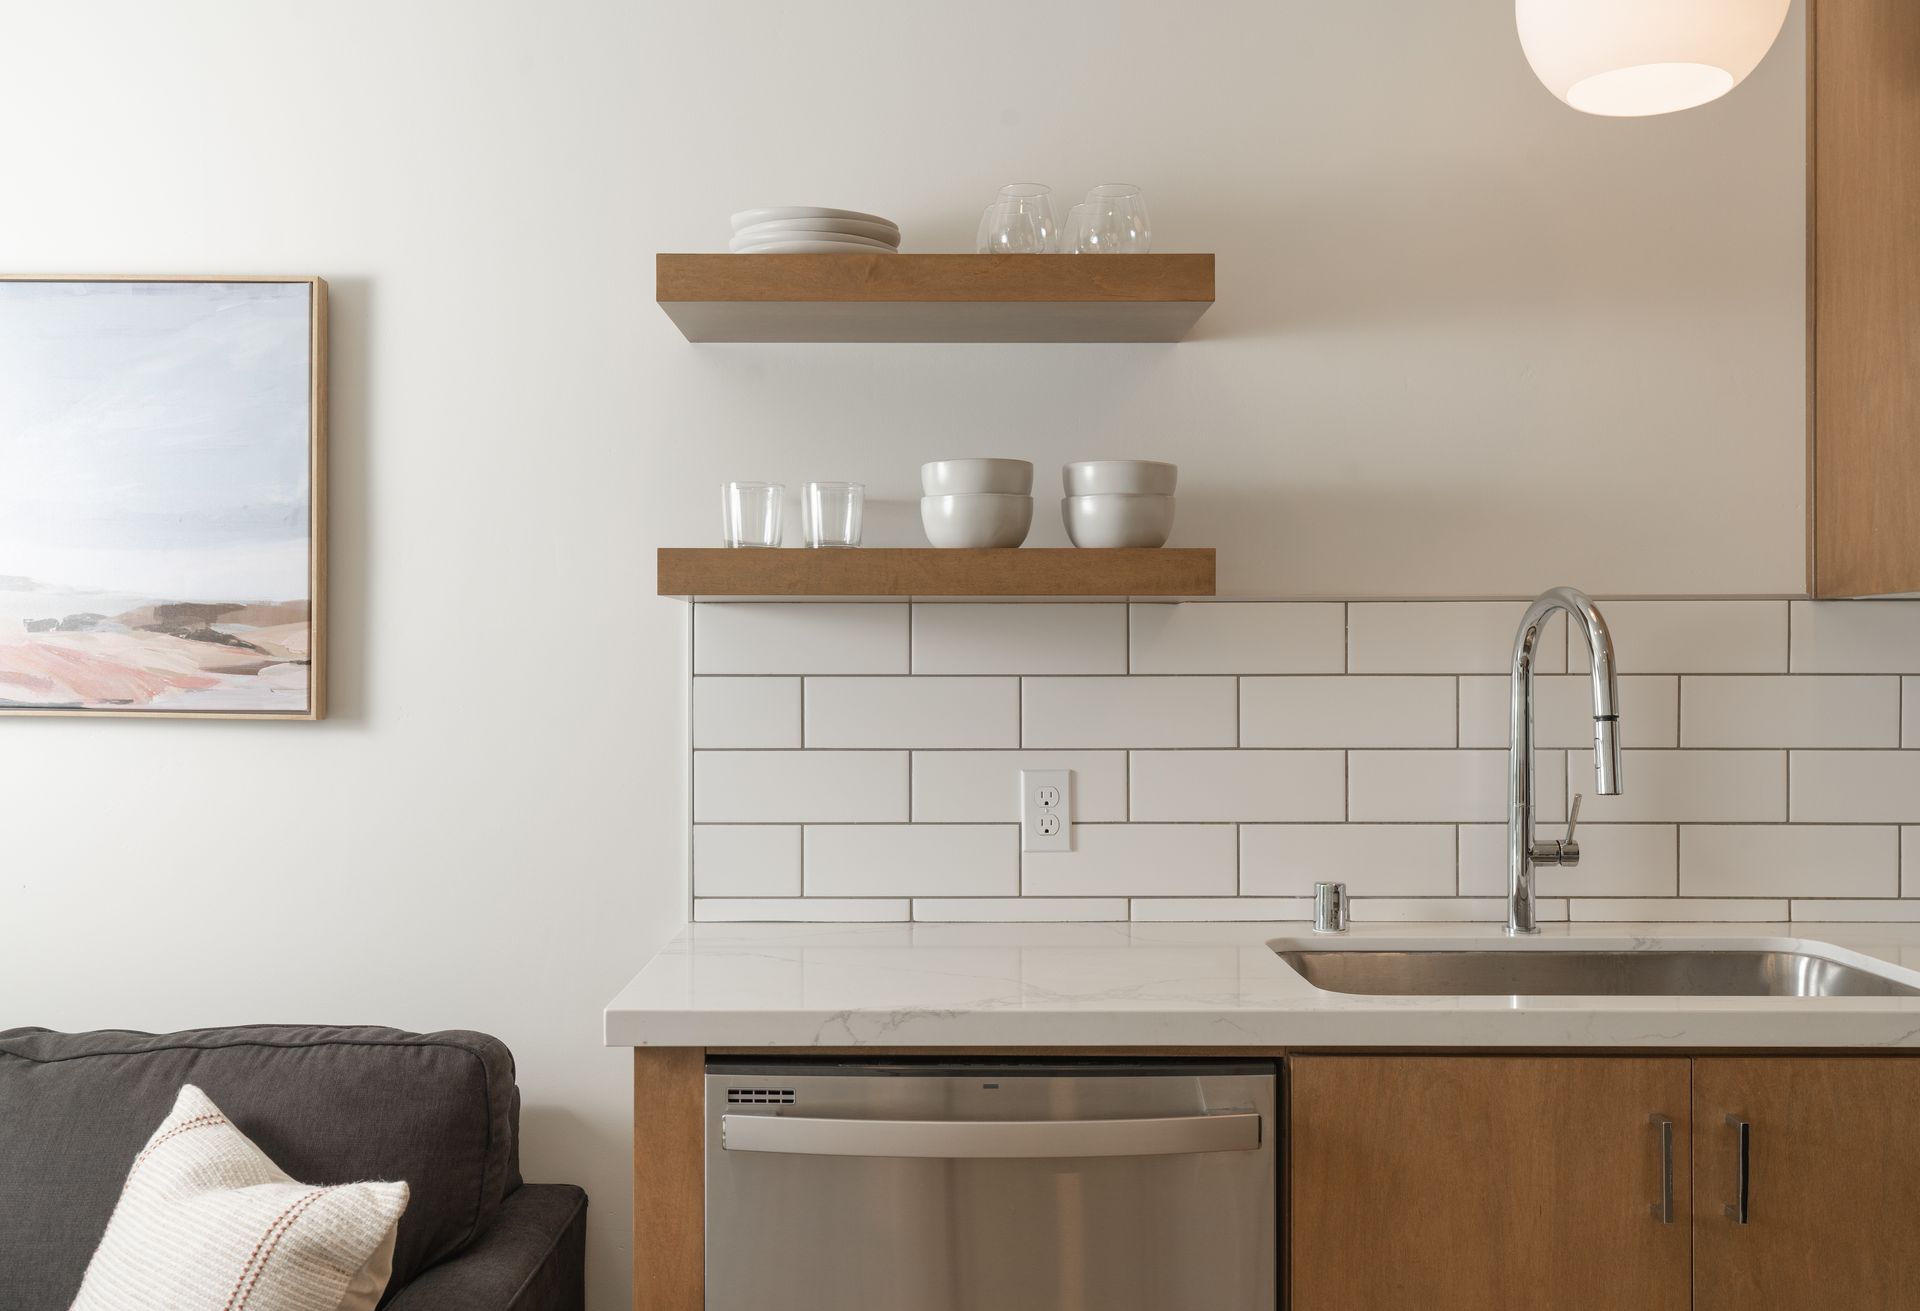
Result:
x=1527 y=1181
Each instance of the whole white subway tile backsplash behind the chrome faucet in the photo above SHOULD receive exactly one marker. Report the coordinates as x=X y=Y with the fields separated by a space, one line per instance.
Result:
x=863 y=761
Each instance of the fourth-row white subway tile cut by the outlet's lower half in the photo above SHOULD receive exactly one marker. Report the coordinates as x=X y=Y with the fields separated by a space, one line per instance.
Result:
x=1138 y=861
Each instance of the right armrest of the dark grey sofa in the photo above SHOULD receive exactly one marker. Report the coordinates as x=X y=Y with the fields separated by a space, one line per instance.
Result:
x=531 y=1258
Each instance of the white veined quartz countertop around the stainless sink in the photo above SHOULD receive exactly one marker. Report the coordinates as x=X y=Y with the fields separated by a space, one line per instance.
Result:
x=1015 y=986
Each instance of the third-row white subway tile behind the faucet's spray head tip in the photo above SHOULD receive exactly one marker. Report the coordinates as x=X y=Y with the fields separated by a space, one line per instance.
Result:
x=1687 y=788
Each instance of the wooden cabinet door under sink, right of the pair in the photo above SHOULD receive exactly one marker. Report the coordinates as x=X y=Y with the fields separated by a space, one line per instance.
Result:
x=1833 y=1183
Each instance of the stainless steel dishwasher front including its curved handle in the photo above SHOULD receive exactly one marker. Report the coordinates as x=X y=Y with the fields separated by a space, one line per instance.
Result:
x=994 y=1187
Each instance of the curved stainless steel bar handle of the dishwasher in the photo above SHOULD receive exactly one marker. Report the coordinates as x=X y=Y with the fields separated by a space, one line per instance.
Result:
x=982 y=1139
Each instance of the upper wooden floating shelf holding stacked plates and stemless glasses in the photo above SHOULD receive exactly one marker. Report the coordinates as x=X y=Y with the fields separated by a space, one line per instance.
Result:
x=934 y=298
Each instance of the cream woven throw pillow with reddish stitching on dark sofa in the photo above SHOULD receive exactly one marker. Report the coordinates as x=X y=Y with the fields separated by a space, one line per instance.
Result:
x=206 y=1222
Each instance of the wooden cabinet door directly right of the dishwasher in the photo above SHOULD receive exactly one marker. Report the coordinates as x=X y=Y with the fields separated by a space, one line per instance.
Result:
x=1483 y=1183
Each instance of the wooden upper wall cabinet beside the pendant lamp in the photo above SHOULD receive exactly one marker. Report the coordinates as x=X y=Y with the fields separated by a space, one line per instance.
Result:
x=1863 y=287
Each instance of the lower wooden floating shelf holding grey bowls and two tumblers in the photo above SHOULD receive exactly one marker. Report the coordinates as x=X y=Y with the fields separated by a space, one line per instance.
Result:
x=869 y=573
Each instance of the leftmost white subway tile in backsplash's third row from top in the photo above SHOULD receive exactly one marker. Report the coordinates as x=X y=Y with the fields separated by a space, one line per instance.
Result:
x=800 y=786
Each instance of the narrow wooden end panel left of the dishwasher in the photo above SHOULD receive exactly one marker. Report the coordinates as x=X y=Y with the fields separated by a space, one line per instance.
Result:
x=669 y=1170
